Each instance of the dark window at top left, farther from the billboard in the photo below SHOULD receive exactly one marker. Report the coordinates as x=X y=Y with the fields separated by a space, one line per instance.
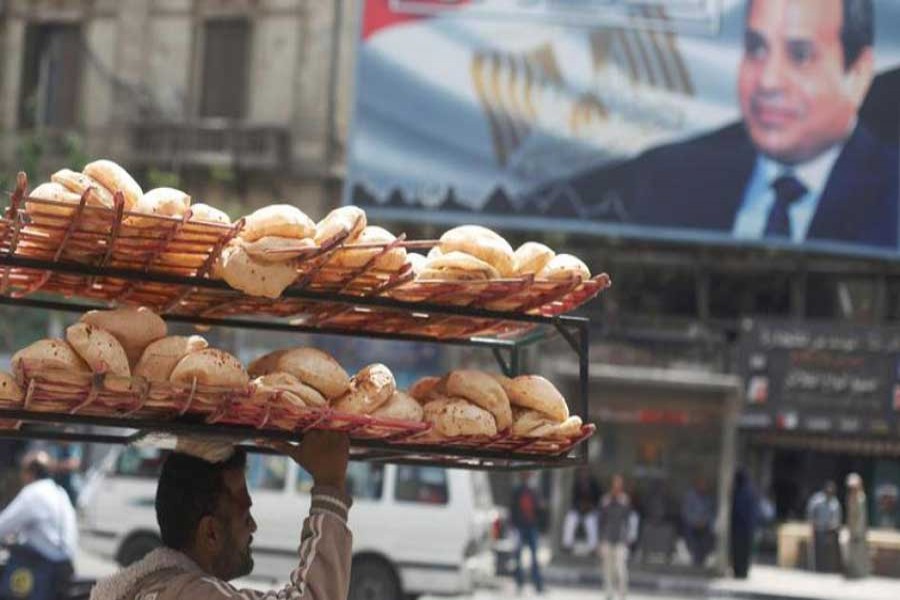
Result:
x=51 y=76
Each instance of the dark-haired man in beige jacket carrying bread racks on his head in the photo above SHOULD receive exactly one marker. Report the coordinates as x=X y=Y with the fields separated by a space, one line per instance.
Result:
x=203 y=510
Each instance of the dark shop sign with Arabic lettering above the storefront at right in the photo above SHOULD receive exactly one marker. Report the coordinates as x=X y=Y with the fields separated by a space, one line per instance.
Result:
x=820 y=378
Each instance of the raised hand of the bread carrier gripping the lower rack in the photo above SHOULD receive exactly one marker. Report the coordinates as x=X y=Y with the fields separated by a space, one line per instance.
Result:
x=323 y=454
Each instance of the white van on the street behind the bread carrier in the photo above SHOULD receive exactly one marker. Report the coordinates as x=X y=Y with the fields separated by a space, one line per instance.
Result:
x=416 y=530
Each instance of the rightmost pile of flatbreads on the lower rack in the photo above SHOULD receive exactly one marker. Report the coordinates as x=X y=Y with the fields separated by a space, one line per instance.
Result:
x=475 y=403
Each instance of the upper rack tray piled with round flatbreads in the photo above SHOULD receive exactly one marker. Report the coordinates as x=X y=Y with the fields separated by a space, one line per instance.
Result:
x=96 y=234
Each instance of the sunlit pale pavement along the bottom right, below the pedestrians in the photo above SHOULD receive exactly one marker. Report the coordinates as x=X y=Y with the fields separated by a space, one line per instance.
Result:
x=764 y=583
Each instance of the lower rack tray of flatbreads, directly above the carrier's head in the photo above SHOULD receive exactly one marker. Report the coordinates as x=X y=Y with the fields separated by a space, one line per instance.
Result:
x=122 y=364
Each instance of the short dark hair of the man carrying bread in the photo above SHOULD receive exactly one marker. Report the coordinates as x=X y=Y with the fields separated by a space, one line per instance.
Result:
x=189 y=489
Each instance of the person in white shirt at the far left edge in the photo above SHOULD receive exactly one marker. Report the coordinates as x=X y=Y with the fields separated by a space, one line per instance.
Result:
x=40 y=527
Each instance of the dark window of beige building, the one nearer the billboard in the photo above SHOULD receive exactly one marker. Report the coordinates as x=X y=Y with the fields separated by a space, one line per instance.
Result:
x=226 y=49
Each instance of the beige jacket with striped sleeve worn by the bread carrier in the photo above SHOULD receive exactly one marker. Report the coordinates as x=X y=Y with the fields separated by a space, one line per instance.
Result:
x=322 y=574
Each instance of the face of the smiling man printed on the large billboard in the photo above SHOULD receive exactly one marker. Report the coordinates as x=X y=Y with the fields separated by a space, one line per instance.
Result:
x=797 y=96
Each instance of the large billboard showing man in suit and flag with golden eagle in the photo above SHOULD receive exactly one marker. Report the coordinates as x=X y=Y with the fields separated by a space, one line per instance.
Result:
x=772 y=123
